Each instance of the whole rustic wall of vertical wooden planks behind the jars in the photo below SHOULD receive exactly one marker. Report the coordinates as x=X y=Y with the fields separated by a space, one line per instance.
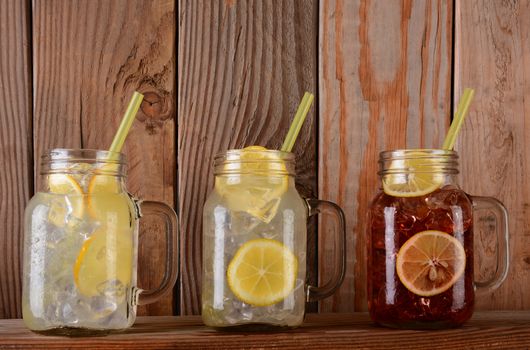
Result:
x=387 y=74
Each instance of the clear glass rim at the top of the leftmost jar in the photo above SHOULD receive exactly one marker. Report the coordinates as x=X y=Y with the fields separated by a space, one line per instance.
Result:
x=83 y=155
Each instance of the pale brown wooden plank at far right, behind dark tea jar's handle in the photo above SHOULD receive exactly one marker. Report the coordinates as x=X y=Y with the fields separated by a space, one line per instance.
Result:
x=492 y=55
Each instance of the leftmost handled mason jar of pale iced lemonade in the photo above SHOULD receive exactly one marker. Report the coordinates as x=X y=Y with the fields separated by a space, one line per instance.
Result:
x=80 y=246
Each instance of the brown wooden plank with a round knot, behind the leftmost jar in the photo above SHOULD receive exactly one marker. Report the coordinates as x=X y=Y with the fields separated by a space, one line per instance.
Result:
x=89 y=58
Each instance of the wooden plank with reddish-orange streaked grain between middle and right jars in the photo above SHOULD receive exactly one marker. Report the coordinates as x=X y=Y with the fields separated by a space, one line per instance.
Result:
x=385 y=82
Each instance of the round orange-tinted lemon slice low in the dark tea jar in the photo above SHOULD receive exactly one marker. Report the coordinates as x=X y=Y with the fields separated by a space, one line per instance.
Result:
x=430 y=262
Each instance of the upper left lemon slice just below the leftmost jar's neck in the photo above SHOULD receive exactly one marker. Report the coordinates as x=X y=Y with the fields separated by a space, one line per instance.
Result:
x=66 y=185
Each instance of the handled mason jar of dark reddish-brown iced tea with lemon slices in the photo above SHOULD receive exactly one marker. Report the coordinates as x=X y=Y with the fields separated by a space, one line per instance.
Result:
x=420 y=242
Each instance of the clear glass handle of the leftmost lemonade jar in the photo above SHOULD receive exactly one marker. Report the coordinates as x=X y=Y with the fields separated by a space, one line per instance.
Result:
x=172 y=243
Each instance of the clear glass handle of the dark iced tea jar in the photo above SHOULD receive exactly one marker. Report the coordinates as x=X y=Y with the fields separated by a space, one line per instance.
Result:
x=502 y=235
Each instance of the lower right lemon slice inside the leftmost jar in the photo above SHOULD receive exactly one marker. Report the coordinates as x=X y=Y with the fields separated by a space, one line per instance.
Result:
x=104 y=263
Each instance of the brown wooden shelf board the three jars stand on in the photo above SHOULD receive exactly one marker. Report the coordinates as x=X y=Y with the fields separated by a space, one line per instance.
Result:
x=499 y=330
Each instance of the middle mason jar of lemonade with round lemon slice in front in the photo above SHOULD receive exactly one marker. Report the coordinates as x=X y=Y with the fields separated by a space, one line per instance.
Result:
x=254 y=243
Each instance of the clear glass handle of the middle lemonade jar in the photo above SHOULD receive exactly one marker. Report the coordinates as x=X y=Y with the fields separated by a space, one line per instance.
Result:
x=316 y=206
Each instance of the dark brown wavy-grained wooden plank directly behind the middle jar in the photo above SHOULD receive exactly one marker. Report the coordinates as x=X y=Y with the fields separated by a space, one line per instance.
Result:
x=243 y=68
